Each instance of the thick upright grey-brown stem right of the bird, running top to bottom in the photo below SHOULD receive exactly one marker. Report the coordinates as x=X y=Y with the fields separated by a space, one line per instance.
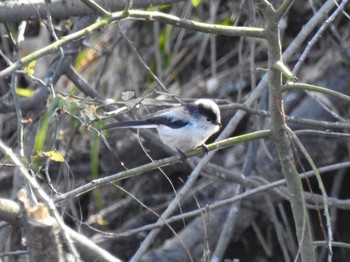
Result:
x=279 y=134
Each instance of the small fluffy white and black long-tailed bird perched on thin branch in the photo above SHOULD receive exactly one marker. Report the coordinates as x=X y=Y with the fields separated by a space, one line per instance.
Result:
x=185 y=127
